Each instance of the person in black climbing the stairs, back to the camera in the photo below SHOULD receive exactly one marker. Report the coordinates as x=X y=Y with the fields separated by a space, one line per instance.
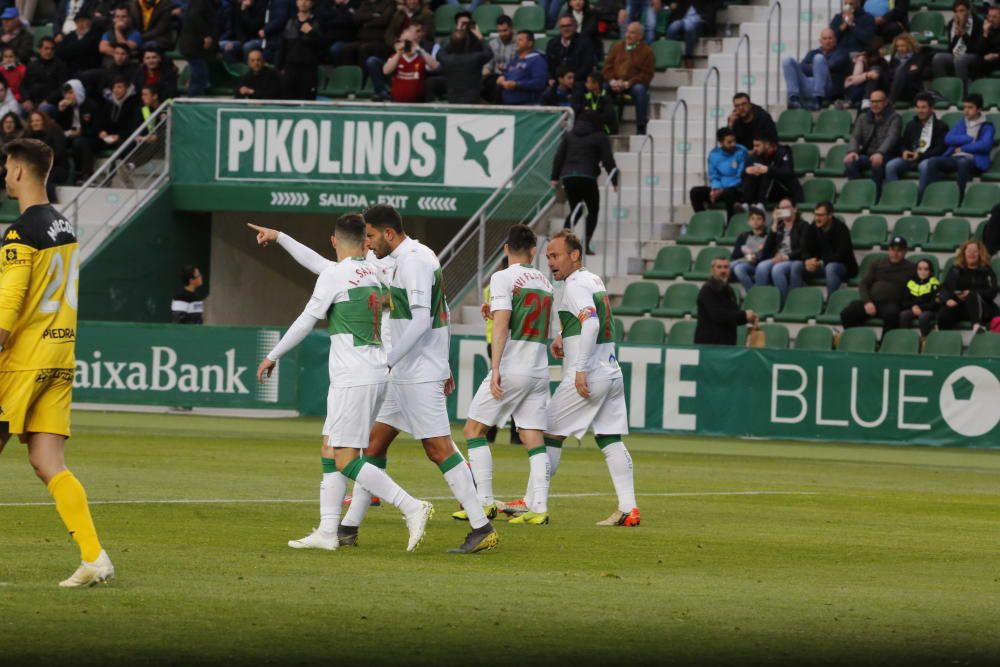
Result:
x=577 y=164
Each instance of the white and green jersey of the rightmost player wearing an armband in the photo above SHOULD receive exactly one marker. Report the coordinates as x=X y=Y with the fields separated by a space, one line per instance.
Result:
x=586 y=297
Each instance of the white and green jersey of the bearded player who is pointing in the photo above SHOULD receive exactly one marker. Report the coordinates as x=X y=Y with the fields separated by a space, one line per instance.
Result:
x=417 y=282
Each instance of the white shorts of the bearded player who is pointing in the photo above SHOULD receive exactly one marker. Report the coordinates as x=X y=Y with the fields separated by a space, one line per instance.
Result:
x=420 y=409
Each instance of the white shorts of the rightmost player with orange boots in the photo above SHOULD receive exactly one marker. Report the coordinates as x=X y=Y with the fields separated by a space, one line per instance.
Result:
x=604 y=412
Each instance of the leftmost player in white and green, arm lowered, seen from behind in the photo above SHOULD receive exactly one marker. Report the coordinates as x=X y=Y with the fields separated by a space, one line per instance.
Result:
x=348 y=294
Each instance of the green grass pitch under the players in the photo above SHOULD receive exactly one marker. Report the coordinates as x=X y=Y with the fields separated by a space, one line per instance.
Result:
x=861 y=555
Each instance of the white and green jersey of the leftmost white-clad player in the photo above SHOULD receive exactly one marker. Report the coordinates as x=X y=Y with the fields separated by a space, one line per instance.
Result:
x=348 y=295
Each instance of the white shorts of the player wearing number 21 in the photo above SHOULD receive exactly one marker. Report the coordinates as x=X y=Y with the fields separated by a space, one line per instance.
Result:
x=526 y=398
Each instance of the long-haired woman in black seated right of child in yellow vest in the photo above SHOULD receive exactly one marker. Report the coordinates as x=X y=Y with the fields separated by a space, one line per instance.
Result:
x=970 y=289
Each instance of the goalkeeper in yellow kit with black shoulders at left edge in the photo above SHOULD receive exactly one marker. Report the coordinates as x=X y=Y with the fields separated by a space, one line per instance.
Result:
x=40 y=264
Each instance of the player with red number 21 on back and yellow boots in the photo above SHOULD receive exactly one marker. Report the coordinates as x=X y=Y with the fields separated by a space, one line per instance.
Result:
x=518 y=382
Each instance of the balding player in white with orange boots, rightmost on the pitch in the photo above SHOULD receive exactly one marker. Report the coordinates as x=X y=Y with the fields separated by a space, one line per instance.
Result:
x=591 y=394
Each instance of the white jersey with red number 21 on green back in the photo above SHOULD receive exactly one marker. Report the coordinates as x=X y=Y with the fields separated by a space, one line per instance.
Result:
x=523 y=290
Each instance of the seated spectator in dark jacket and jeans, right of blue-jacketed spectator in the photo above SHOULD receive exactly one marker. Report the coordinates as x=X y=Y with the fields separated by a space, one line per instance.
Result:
x=786 y=246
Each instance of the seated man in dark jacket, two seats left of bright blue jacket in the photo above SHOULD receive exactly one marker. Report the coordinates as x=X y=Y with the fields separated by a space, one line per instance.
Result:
x=874 y=140
